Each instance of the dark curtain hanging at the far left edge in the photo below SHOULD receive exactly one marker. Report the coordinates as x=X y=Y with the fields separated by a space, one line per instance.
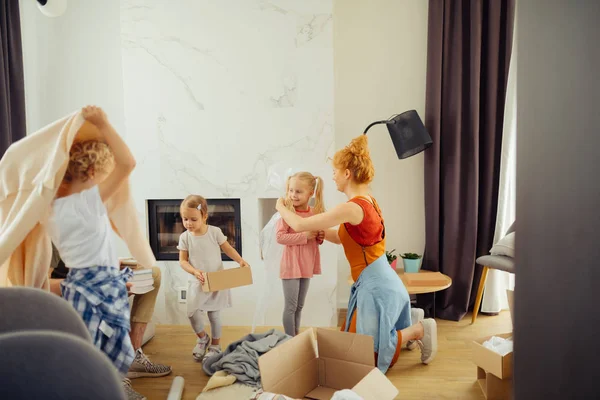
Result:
x=12 y=86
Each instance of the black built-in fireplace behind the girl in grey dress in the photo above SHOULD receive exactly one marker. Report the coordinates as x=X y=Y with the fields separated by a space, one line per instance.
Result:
x=165 y=225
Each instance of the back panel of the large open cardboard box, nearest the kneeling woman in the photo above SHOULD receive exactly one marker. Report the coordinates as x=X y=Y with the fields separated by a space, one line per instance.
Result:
x=346 y=346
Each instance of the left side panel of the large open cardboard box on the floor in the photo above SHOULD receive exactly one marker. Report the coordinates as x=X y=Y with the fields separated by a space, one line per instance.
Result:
x=291 y=368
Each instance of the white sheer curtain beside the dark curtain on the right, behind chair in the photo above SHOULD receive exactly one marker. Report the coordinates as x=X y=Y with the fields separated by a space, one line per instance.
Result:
x=494 y=296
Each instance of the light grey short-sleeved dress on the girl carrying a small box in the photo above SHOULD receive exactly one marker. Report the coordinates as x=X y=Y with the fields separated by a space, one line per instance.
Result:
x=204 y=254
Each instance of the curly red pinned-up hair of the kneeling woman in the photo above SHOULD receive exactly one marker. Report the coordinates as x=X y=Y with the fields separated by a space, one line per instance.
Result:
x=356 y=158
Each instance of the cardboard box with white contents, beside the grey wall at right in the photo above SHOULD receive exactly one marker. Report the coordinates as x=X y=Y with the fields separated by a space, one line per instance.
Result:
x=494 y=371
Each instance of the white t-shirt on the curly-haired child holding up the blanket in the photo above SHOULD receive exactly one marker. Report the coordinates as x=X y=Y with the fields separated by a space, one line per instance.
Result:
x=81 y=231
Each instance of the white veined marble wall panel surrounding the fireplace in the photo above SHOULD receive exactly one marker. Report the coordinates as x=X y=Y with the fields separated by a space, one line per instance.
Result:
x=214 y=96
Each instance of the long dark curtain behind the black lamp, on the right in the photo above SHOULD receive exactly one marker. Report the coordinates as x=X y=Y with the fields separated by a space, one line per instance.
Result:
x=468 y=55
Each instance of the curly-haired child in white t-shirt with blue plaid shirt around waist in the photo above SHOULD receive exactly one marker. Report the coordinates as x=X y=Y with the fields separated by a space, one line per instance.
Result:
x=81 y=231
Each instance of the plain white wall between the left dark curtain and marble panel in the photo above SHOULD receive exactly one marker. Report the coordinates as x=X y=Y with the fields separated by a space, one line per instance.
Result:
x=71 y=61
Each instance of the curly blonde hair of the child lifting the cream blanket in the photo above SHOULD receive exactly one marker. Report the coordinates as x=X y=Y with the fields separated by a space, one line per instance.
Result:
x=87 y=158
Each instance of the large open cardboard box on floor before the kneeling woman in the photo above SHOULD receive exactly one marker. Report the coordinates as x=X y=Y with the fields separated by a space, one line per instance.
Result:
x=317 y=363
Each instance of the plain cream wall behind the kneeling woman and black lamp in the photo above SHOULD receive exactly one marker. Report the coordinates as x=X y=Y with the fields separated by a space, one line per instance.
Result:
x=380 y=55
